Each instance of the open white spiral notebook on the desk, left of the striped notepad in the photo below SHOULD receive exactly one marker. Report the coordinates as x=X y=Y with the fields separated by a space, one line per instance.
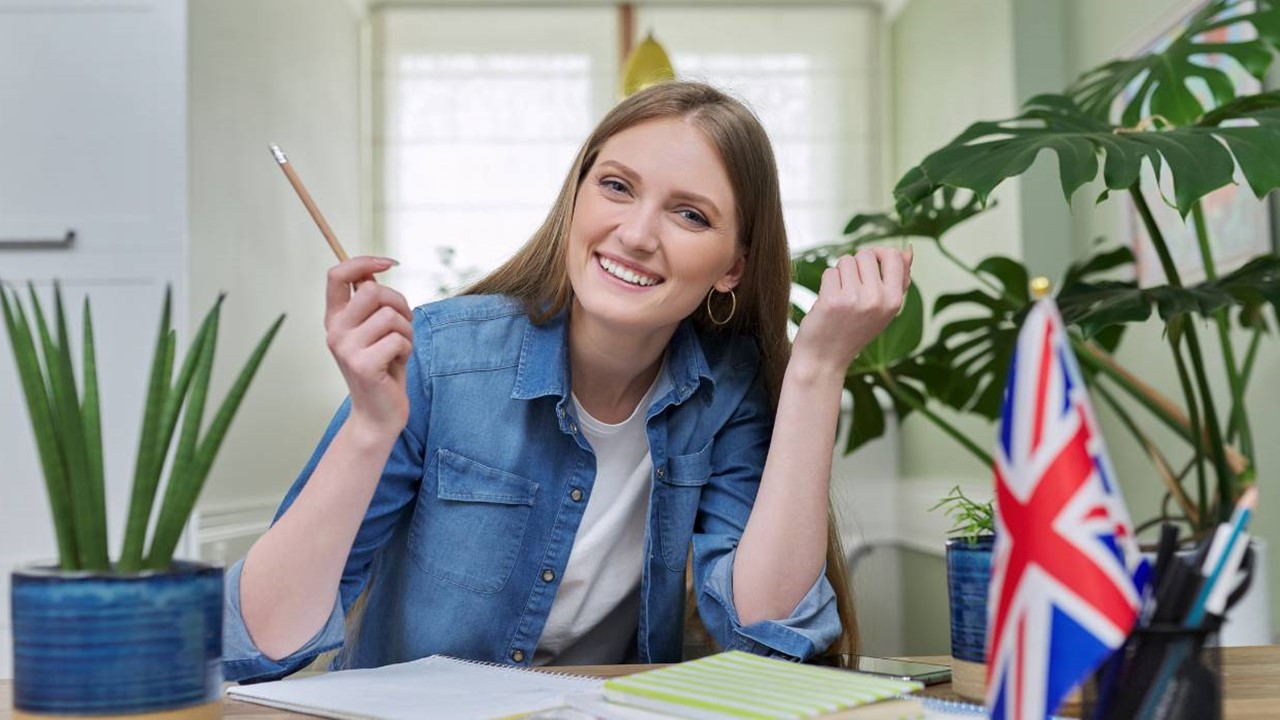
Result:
x=436 y=687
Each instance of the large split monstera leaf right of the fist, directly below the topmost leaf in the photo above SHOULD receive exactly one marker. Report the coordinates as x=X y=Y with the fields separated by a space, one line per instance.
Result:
x=1200 y=158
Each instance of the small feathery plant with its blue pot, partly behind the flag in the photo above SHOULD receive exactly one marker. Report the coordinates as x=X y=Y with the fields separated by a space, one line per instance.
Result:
x=970 y=553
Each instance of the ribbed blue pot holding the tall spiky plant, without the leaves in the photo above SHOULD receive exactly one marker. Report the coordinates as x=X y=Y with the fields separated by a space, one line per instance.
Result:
x=88 y=644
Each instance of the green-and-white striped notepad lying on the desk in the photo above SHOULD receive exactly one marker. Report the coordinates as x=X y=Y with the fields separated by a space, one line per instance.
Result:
x=739 y=685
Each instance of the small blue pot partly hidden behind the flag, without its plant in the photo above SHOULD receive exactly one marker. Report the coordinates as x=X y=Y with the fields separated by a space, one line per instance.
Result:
x=968 y=581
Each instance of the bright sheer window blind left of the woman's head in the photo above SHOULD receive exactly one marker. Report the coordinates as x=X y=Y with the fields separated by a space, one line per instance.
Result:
x=481 y=113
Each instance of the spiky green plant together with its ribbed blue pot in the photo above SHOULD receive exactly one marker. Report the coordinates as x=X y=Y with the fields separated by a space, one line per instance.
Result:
x=143 y=635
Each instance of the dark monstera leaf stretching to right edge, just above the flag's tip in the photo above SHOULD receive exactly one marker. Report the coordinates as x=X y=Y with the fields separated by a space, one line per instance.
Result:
x=1095 y=307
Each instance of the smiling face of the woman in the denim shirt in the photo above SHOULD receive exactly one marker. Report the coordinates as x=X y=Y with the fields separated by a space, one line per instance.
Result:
x=655 y=229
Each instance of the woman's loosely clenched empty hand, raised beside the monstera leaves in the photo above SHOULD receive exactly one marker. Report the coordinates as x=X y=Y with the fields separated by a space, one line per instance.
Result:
x=858 y=299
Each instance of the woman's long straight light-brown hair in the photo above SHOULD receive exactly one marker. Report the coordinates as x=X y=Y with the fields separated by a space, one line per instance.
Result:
x=538 y=276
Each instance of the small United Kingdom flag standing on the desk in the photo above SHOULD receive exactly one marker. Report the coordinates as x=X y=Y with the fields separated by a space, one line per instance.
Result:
x=1064 y=594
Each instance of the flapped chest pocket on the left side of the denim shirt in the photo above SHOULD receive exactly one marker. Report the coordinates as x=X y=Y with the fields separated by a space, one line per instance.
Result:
x=470 y=534
